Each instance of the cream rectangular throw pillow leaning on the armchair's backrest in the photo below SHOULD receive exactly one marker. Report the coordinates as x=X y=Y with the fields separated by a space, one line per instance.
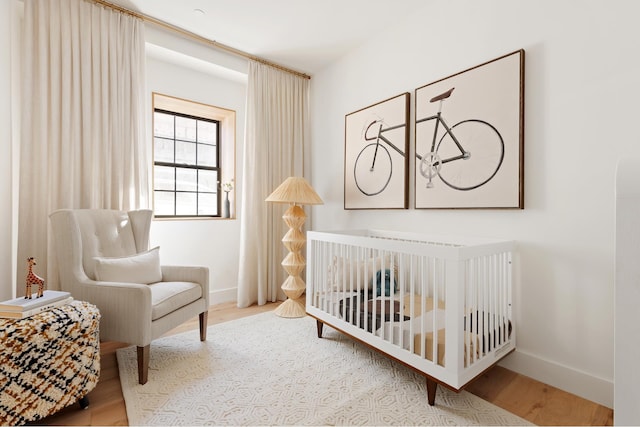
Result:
x=139 y=268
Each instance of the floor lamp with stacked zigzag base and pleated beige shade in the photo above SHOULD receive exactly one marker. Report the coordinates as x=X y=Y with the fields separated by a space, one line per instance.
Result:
x=296 y=191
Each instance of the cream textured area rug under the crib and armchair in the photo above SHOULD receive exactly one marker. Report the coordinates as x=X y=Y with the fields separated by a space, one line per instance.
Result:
x=267 y=370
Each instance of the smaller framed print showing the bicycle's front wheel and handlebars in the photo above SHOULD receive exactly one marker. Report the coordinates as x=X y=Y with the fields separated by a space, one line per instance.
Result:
x=376 y=163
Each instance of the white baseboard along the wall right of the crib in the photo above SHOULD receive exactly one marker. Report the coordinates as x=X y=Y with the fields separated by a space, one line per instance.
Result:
x=580 y=383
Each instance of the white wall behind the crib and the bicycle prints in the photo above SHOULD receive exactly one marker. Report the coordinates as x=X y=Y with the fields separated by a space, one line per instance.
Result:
x=581 y=106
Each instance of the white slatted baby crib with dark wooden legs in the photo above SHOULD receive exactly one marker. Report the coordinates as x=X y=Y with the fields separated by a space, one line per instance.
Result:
x=412 y=296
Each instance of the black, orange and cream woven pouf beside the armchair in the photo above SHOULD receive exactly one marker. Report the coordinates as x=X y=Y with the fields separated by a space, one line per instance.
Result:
x=48 y=361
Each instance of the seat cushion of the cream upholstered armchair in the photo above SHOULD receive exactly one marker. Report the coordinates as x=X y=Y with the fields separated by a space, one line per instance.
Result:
x=167 y=297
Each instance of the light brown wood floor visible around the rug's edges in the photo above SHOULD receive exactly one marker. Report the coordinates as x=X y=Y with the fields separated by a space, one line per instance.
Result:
x=536 y=402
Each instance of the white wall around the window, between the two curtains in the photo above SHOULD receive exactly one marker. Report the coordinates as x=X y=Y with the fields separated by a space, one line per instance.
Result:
x=209 y=242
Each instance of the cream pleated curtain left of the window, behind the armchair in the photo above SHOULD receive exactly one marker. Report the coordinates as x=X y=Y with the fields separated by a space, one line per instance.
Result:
x=82 y=138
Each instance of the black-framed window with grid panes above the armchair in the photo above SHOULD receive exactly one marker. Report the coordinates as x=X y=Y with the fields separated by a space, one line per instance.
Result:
x=186 y=165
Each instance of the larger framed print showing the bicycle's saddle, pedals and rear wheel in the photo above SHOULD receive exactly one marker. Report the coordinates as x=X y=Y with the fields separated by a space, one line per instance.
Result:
x=469 y=137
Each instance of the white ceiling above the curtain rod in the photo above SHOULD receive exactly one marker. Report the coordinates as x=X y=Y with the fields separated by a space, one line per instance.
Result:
x=303 y=35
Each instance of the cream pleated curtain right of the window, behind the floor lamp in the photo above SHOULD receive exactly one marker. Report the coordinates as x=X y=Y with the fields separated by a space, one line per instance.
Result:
x=276 y=130
